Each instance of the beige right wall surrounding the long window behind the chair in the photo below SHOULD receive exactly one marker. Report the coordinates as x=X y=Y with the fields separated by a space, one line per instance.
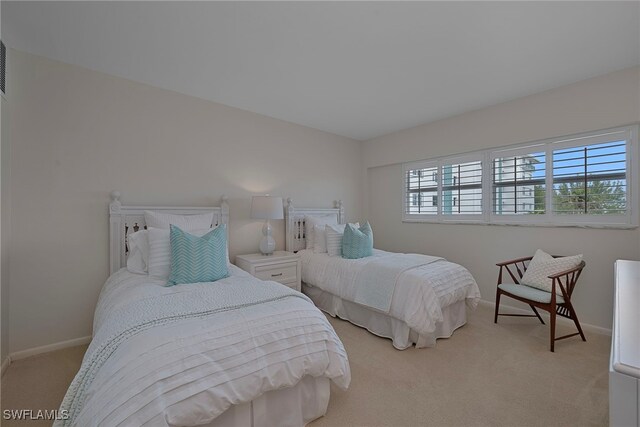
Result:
x=597 y=103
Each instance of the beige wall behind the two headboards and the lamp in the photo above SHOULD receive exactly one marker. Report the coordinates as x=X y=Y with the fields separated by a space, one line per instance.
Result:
x=76 y=134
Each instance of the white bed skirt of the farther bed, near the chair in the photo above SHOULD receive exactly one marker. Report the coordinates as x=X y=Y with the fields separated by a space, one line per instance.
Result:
x=383 y=325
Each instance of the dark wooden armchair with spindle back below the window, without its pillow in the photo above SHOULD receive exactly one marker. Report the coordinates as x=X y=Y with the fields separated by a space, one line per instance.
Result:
x=548 y=301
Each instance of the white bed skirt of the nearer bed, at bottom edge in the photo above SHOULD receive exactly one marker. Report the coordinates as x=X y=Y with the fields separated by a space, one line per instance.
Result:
x=293 y=406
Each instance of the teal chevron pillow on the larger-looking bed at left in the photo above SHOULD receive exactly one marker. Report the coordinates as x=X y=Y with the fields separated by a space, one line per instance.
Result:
x=198 y=259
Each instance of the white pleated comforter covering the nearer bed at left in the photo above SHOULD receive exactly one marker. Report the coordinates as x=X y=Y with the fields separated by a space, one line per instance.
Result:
x=184 y=355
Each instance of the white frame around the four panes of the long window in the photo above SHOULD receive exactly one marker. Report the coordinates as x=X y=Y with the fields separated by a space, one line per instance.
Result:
x=549 y=218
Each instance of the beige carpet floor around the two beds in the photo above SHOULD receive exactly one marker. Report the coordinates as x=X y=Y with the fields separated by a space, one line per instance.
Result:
x=485 y=375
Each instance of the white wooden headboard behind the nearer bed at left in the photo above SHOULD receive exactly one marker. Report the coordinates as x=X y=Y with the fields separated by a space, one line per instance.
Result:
x=124 y=220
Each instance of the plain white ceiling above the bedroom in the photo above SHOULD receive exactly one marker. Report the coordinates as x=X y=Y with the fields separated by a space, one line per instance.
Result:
x=357 y=69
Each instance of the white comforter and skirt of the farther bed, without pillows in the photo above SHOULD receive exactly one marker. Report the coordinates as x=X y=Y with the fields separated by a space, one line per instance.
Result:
x=421 y=299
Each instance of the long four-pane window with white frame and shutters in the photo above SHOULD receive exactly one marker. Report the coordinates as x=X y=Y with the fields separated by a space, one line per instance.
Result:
x=585 y=179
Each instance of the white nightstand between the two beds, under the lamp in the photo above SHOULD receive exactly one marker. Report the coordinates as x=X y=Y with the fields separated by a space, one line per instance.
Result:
x=282 y=266
